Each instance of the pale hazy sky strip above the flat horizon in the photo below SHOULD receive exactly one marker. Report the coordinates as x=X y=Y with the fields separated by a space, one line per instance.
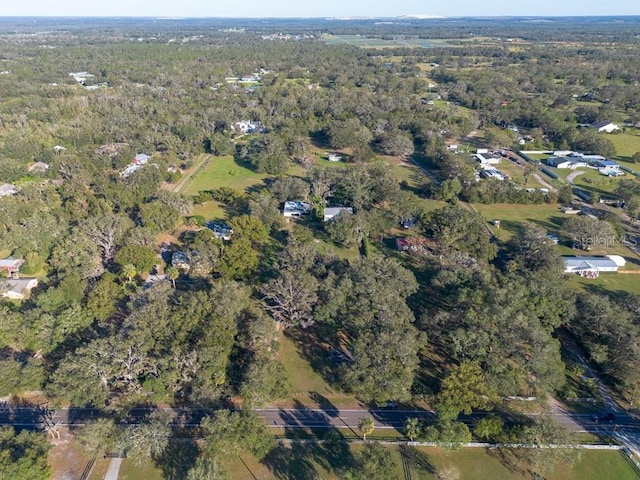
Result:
x=317 y=8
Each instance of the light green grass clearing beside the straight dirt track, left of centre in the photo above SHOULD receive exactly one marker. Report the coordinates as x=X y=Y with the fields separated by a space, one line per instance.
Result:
x=223 y=172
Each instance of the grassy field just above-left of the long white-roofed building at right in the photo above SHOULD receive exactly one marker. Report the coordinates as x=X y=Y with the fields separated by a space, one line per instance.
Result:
x=512 y=217
